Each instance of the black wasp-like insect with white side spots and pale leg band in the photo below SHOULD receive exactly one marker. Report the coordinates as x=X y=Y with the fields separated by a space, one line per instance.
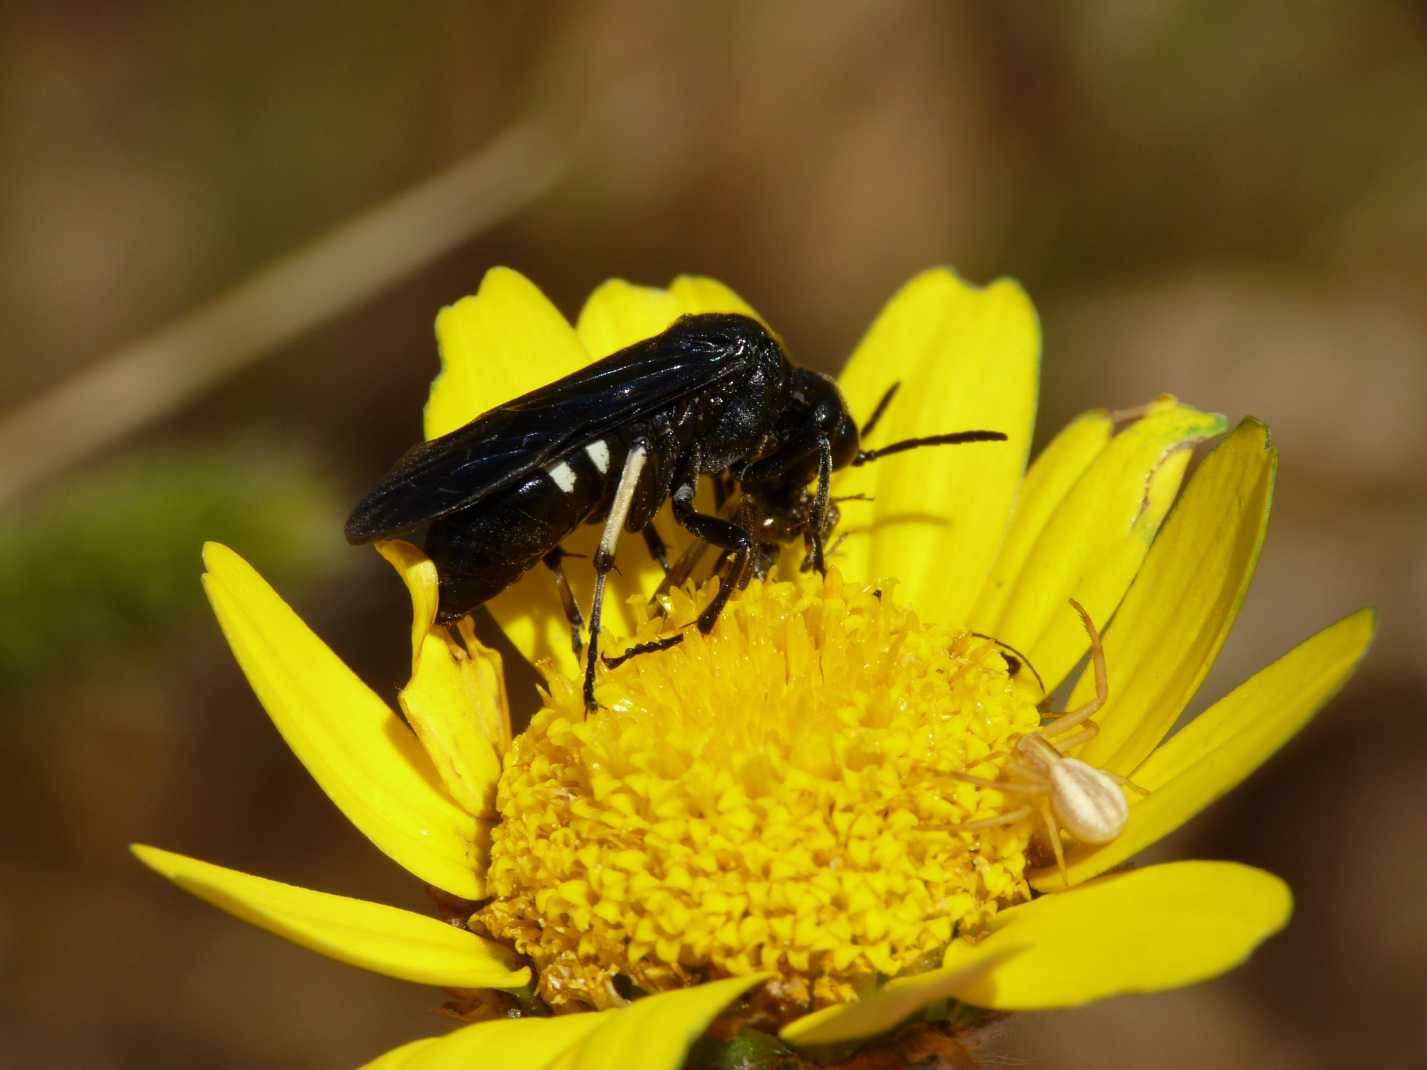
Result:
x=711 y=396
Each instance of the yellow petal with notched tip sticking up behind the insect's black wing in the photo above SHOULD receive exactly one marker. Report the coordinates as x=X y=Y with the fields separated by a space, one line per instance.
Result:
x=504 y=342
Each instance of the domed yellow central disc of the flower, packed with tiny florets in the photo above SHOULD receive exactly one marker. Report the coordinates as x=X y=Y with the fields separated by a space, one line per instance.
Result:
x=776 y=797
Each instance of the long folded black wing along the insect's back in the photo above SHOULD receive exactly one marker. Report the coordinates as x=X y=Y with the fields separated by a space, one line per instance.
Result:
x=506 y=444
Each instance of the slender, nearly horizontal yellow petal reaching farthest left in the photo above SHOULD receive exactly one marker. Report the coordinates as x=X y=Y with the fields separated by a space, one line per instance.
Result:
x=373 y=937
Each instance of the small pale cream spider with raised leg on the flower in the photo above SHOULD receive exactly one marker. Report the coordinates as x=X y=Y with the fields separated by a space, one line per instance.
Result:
x=1065 y=793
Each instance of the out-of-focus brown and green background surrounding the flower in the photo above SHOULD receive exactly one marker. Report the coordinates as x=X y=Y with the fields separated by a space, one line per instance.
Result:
x=1222 y=200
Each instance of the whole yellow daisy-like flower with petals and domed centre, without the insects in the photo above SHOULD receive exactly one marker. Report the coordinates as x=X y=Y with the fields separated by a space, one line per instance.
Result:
x=804 y=822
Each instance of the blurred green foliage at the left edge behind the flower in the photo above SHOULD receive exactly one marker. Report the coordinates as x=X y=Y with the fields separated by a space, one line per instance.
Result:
x=111 y=557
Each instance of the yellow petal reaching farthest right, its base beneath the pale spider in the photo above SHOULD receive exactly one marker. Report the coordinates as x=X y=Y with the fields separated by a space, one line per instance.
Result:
x=1225 y=744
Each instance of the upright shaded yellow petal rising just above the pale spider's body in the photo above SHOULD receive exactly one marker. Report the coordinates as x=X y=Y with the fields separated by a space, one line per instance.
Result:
x=1185 y=600
